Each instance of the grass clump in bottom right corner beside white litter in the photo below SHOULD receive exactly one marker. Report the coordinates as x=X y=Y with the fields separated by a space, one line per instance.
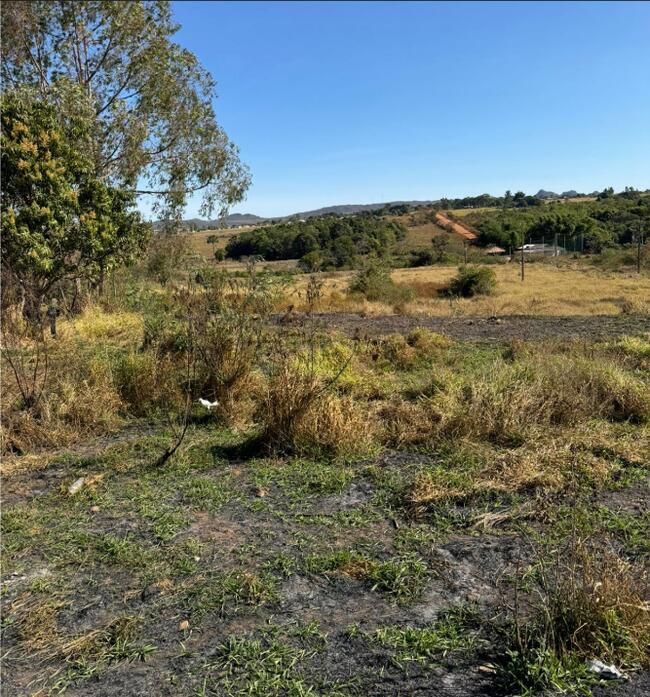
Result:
x=584 y=603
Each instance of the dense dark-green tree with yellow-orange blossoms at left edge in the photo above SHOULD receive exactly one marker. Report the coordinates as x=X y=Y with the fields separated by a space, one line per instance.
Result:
x=58 y=220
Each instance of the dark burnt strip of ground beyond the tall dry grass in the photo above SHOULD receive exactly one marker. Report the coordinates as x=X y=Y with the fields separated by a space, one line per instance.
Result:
x=493 y=329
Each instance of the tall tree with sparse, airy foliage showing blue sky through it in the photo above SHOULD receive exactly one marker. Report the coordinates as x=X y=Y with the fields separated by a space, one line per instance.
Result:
x=148 y=100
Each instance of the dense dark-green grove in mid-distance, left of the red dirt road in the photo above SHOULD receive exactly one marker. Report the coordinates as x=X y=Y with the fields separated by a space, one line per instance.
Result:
x=339 y=241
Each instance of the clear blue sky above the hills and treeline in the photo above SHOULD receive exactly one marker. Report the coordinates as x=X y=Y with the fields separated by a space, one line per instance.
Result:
x=360 y=102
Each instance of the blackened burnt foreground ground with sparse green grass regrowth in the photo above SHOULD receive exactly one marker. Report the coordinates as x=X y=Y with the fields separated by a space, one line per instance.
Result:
x=246 y=551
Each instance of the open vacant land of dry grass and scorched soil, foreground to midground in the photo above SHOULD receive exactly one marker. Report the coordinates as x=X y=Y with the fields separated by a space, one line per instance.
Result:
x=394 y=511
